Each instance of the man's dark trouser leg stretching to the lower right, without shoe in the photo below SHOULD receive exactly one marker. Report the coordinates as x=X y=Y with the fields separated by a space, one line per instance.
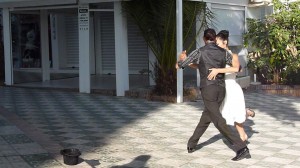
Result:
x=213 y=96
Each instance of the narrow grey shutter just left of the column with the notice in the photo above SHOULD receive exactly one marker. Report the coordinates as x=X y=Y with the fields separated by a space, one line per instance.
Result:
x=72 y=40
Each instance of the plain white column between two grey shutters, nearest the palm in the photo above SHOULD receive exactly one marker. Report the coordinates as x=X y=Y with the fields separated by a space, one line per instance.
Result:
x=121 y=47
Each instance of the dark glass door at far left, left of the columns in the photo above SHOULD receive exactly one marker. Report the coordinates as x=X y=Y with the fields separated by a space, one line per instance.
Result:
x=26 y=50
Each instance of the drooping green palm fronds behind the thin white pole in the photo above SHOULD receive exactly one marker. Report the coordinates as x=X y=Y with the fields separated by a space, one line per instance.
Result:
x=156 y=20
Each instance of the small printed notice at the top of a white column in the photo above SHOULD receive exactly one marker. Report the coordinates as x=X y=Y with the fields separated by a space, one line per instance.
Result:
x=83 y=16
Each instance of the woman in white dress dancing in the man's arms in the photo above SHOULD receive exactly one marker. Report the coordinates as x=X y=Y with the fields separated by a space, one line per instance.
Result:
x=233 y=106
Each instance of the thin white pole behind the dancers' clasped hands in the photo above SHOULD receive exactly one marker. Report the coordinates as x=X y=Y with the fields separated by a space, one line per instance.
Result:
x=179 y=49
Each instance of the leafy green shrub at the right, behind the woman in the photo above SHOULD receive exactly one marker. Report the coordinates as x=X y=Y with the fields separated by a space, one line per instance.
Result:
x=274 y=43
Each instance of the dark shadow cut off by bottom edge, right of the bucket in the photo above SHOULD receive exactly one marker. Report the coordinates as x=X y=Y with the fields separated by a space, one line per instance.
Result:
x=138 y=162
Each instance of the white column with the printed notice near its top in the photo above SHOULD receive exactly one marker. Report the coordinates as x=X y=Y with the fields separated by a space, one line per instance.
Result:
x=84 y=49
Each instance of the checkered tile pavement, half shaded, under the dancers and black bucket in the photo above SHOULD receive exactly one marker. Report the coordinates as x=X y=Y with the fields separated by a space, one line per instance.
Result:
x=123 y=132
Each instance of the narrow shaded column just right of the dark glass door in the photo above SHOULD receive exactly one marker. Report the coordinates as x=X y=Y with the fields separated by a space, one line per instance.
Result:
x=45 y=45
